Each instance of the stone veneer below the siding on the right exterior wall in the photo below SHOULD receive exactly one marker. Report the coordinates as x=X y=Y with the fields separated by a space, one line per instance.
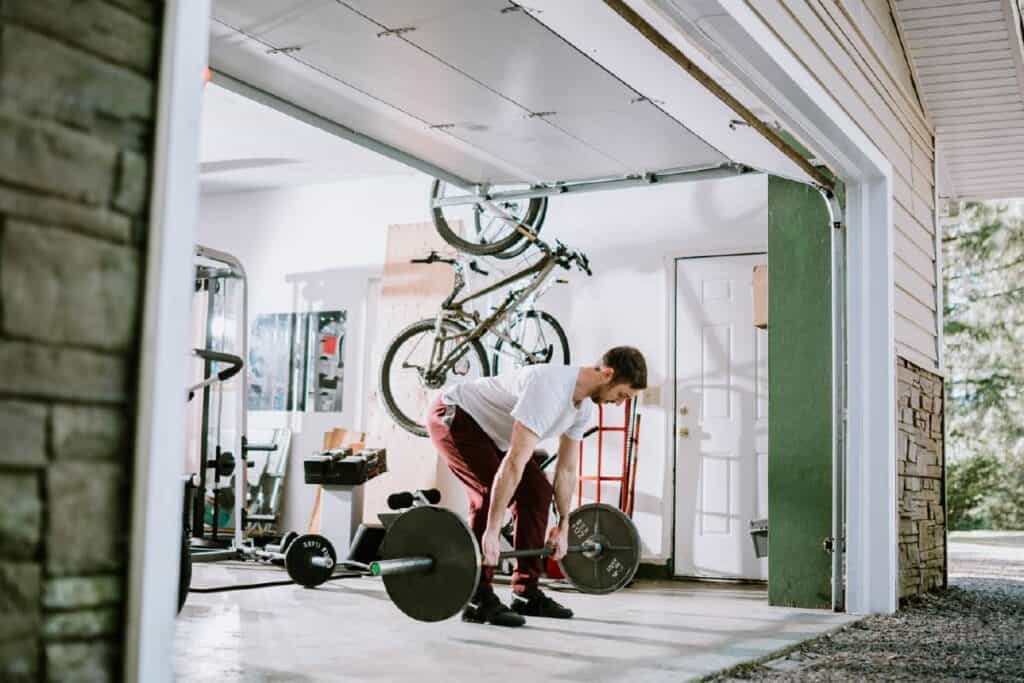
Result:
x=921 y=475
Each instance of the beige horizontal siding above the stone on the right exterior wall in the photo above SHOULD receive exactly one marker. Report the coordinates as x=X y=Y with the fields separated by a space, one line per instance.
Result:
x=855 y=50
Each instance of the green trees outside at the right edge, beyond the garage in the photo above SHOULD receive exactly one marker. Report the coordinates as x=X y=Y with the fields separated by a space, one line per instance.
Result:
x=984 y=293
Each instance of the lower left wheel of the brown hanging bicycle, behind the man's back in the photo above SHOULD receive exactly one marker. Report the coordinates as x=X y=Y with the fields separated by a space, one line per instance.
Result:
x=406 y=392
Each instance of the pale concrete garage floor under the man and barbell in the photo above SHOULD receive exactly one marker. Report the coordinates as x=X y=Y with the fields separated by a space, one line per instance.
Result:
x=350 y=631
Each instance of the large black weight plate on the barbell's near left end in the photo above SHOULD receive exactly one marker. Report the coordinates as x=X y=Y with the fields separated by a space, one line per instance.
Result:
x=443 y=536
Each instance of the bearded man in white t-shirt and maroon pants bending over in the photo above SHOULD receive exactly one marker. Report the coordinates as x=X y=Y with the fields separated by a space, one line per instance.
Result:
x=487 y=430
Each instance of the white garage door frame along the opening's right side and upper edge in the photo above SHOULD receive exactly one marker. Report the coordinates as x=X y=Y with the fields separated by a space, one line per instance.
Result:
x=753 y=54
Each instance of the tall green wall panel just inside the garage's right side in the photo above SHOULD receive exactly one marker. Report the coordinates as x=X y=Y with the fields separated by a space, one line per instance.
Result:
x=800 y=396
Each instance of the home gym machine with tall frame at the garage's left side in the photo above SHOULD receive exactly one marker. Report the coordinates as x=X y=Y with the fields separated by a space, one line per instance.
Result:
x=221 y=320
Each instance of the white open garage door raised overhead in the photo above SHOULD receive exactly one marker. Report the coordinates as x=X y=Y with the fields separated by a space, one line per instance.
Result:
x=476 y=92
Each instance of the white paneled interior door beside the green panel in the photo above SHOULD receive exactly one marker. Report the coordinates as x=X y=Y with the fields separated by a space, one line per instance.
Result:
x=721 y=418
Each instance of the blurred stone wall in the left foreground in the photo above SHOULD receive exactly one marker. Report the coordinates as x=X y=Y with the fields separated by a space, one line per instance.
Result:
x=77 y=107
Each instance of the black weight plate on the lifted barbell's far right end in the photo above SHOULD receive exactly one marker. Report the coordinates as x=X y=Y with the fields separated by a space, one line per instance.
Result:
x=620 y=560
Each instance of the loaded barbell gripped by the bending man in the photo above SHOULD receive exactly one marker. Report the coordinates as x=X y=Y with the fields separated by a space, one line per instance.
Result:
x=431 y=561
